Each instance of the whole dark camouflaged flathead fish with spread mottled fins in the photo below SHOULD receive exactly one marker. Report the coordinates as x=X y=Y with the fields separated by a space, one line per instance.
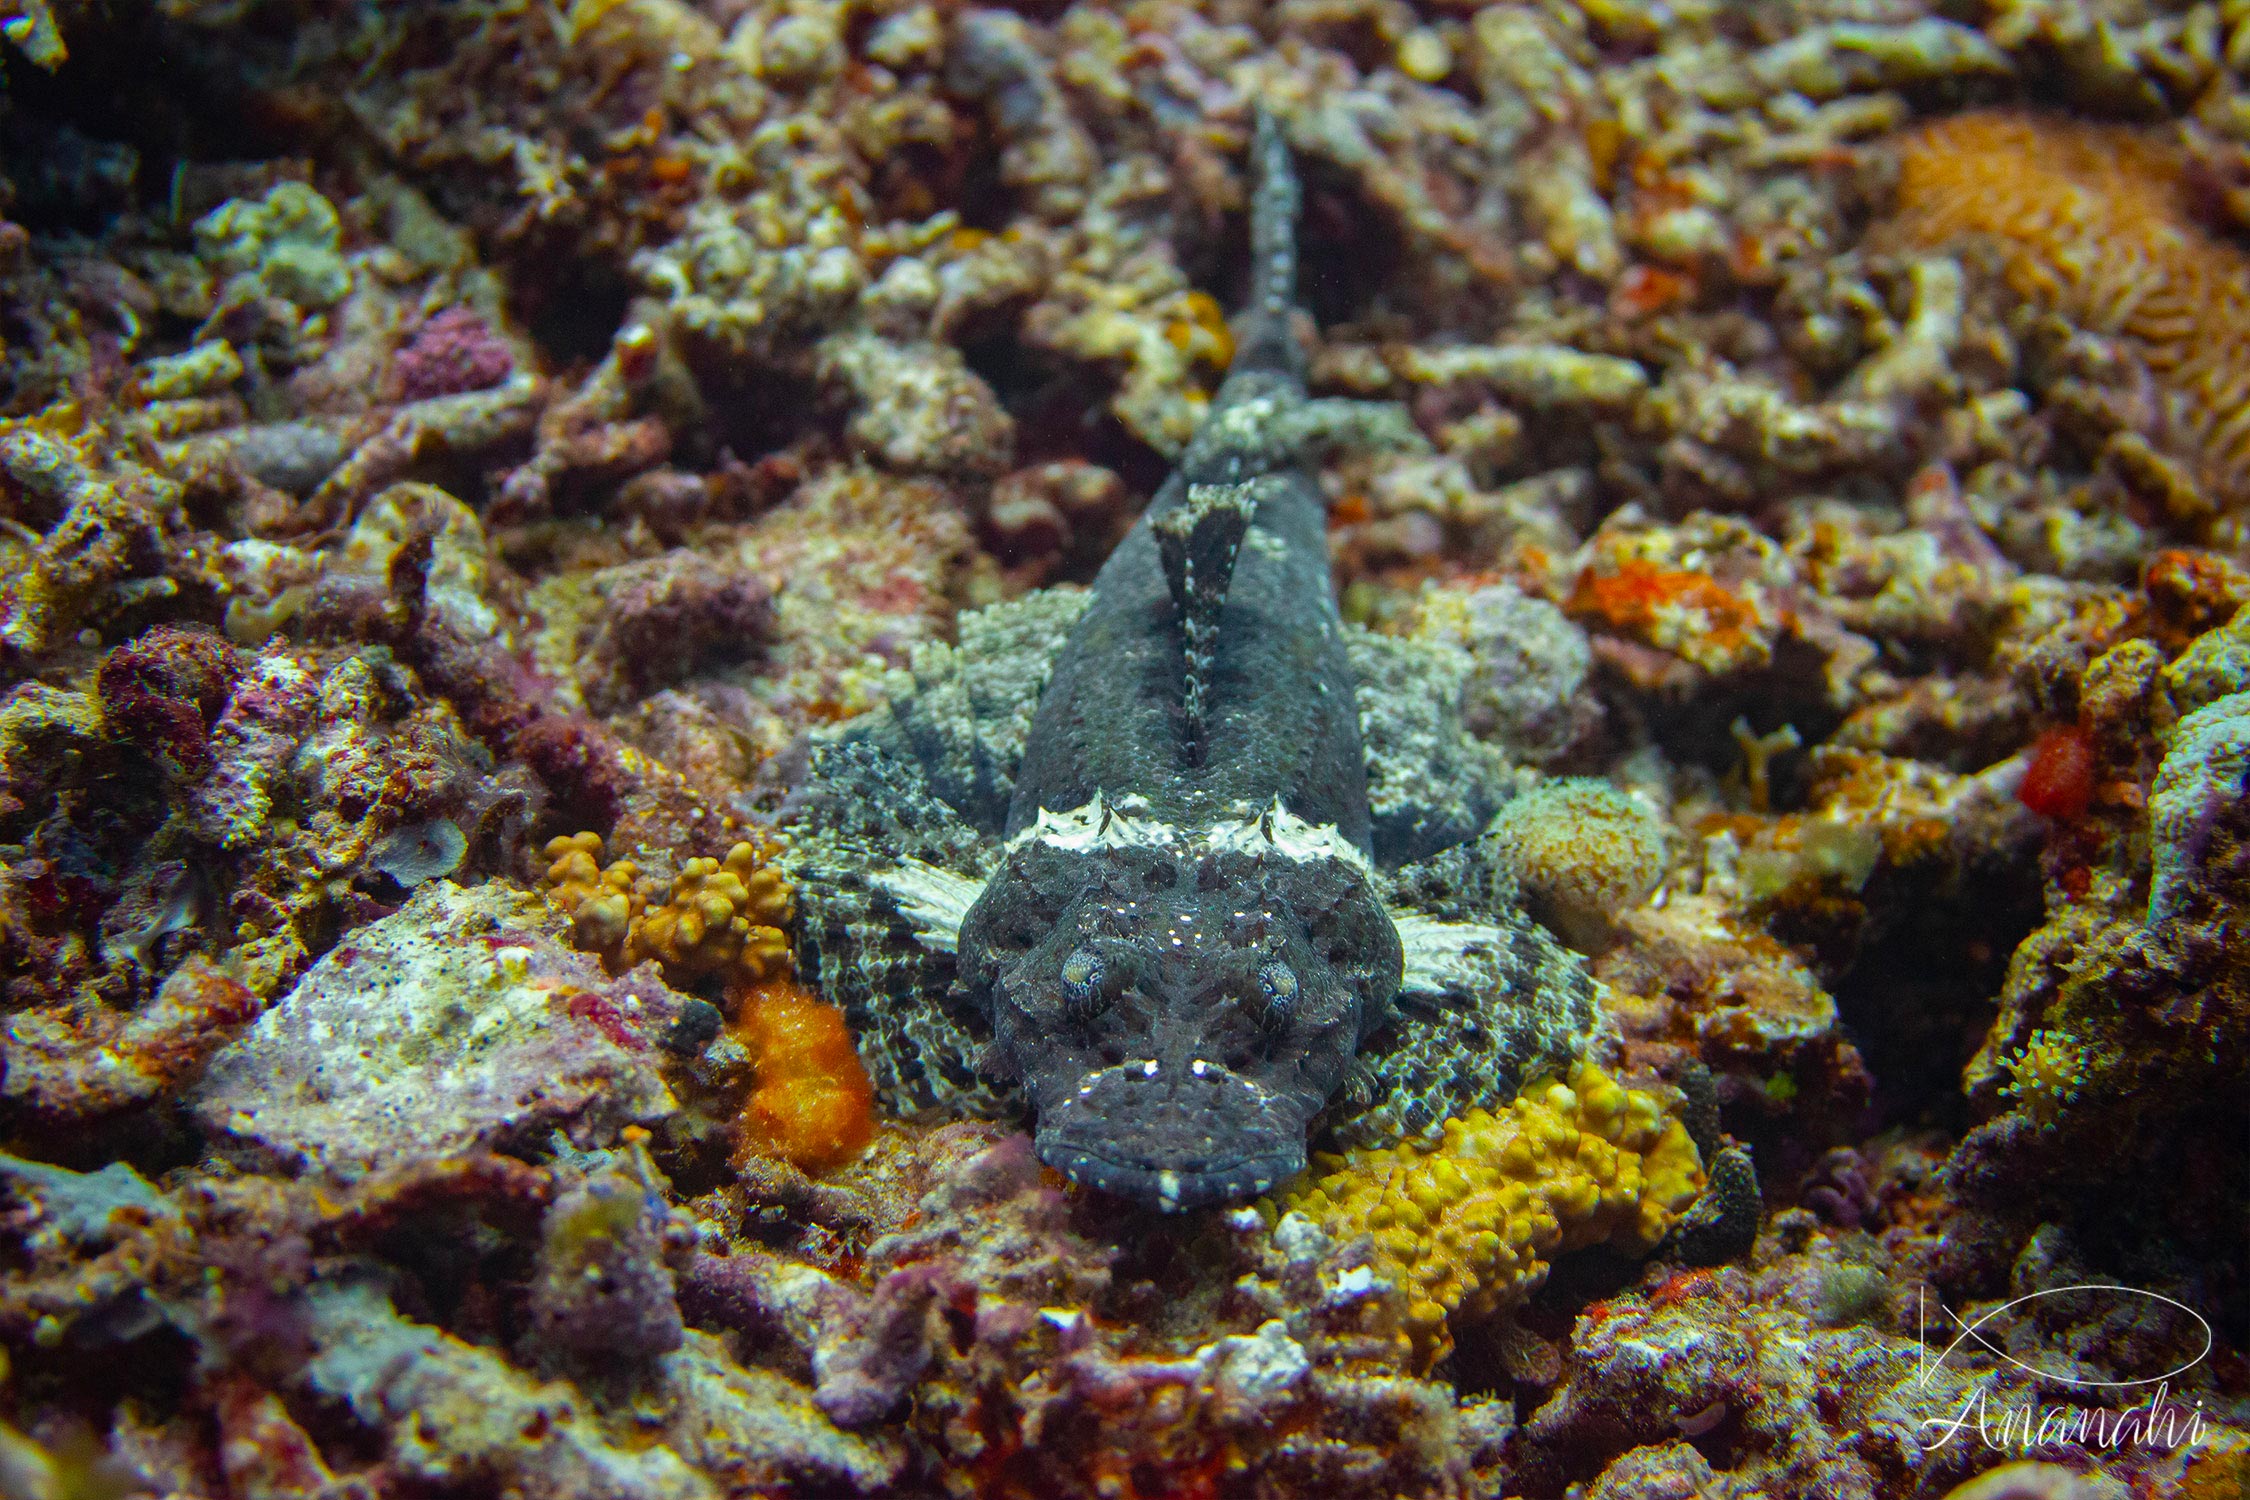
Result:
x=1185 y=865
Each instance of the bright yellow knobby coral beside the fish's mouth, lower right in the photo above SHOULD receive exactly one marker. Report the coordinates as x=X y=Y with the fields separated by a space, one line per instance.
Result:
x=1470 y=1225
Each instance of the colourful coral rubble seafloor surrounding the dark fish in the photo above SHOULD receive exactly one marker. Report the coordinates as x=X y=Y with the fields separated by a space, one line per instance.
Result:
x=460 y=455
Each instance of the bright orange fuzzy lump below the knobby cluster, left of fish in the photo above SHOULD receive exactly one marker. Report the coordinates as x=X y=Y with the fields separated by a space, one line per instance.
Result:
x=813 y=1105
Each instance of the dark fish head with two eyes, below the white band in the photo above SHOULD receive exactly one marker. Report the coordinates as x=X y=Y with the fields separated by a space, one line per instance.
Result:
x=1180 y=1013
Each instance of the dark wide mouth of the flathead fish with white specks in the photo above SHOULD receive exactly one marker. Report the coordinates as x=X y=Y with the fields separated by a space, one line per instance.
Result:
x=1173 y=1139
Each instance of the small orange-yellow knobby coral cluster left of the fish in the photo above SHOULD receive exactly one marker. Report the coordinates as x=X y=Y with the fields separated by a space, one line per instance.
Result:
x=723 y=916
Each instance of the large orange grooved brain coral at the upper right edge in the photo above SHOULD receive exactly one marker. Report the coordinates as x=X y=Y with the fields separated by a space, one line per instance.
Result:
x=2096 y=224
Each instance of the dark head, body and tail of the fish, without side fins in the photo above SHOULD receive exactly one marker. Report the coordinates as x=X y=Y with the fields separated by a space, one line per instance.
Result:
x=1185 y=943
